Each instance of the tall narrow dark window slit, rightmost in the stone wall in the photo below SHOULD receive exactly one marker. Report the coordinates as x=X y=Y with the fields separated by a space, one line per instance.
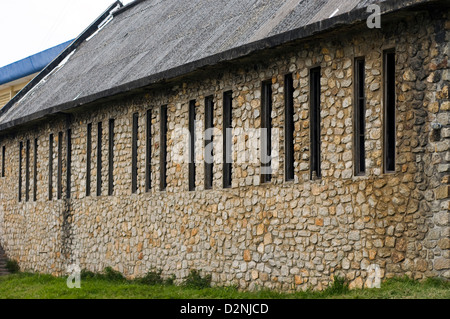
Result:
x=389 y=111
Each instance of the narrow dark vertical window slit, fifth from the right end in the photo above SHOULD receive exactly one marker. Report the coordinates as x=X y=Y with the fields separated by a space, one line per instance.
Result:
x=266 y=131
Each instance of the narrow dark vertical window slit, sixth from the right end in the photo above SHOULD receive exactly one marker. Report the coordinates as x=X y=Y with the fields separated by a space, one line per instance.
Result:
x=227 y=119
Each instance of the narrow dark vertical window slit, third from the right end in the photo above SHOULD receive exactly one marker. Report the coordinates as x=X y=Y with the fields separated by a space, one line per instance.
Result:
x=315 y=122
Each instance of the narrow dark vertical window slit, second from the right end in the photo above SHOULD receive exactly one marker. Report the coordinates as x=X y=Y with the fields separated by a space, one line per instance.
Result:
x=359 y=119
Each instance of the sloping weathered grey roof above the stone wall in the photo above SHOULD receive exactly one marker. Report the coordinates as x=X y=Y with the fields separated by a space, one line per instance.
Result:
x=155 y=37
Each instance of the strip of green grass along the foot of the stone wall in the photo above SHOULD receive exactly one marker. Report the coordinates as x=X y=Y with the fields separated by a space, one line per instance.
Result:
x=35 y=286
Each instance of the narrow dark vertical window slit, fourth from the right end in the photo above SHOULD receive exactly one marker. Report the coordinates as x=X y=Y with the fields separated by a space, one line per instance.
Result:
x=289 y=127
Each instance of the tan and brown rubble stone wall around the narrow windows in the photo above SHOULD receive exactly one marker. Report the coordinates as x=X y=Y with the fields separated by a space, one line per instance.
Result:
x=280 y=235
